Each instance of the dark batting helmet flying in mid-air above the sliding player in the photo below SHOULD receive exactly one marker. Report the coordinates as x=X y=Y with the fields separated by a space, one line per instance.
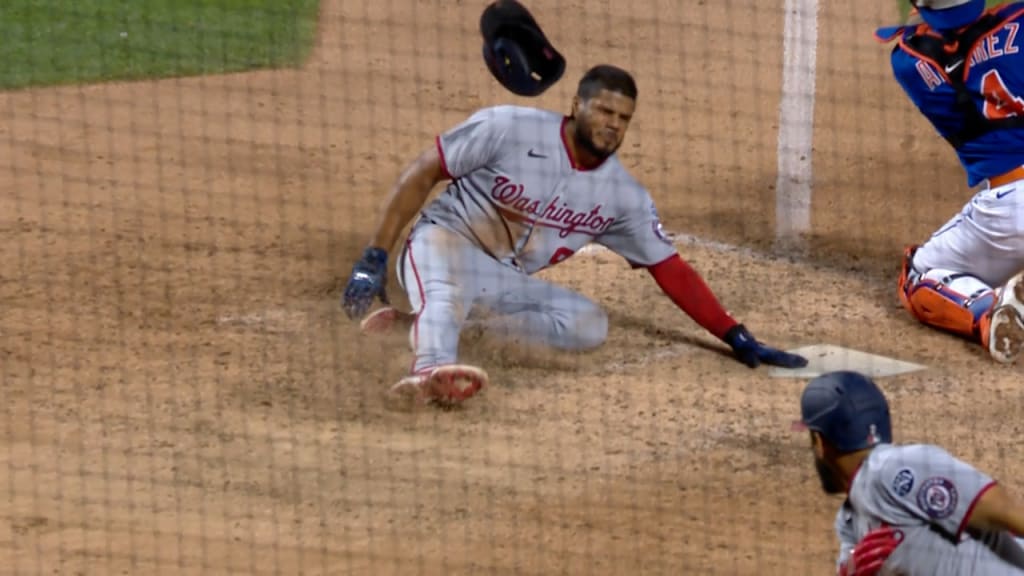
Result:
x=517 y=52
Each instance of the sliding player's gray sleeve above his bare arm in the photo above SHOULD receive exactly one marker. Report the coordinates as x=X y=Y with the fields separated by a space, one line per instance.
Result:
x=474 y=143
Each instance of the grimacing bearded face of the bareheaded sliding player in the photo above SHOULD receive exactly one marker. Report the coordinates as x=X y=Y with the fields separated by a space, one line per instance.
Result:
x=602 y=122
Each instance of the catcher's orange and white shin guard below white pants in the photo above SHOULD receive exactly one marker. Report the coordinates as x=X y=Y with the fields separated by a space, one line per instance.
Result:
x=951 y=302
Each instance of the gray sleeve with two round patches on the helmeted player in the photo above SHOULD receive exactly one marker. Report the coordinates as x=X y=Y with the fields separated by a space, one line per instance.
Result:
x=932 y=485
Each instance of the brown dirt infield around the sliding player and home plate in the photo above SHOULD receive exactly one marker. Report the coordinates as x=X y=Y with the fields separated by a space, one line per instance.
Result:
x=184 y=396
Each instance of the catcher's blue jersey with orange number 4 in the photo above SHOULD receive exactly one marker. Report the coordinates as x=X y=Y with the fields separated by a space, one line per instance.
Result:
x=996 y=77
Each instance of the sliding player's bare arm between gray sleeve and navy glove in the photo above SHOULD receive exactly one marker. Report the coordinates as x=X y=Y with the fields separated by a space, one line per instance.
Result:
x=407 y=197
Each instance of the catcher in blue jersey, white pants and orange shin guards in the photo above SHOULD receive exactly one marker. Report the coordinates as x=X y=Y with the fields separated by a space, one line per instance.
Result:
x=963 y=67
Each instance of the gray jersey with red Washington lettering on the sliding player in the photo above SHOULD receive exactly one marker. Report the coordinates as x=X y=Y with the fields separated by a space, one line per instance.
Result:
x=517 y=193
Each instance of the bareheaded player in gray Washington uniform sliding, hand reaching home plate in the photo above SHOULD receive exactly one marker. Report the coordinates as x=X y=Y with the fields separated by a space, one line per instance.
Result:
x=530 y=188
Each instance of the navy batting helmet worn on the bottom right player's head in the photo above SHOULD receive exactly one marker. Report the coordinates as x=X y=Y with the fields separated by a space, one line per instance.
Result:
x=848 y=410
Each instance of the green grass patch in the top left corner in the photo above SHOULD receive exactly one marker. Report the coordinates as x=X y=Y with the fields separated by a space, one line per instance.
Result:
x=48 y=43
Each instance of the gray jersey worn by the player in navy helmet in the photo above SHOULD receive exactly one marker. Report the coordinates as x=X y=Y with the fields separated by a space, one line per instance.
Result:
x=928 y=495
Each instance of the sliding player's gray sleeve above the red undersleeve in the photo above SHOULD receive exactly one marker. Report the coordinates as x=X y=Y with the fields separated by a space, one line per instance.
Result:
x=637 y=235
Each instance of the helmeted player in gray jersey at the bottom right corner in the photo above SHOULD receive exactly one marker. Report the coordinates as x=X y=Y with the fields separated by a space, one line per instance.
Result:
x=919 y=507
